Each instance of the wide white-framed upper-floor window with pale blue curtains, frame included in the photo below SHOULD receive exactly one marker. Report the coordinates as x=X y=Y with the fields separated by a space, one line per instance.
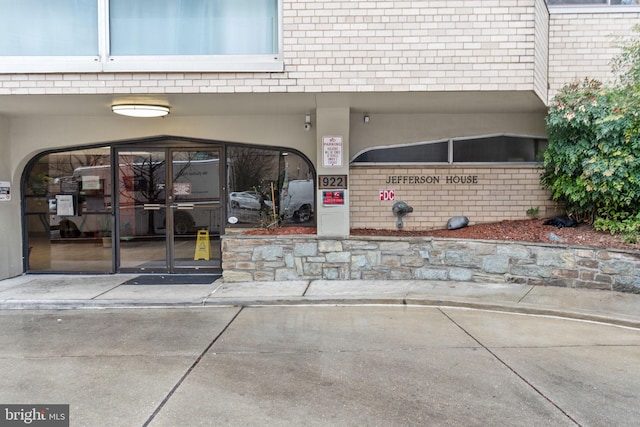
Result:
x=140 y=35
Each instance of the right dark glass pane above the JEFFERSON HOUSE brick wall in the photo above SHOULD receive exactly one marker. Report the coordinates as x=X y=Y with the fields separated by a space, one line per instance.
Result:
x=497 y=149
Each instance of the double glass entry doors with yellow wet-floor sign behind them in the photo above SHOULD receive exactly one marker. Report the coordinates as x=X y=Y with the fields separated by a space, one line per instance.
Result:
x=169 y=210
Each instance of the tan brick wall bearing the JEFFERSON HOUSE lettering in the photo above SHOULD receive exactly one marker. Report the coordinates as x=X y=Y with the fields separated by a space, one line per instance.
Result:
x=493 y=194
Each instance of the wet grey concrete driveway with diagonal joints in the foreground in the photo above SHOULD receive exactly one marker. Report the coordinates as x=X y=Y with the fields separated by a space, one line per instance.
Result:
x=320 y=365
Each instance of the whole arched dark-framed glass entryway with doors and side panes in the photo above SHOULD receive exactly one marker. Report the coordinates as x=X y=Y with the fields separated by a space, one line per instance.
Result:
x=154 y=206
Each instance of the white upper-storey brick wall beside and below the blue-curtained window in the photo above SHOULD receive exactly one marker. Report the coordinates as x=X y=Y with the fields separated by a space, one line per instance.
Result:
x=364 y=46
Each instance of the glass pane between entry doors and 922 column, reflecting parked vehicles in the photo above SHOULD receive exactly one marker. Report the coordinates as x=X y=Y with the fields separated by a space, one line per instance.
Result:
x=267 y=186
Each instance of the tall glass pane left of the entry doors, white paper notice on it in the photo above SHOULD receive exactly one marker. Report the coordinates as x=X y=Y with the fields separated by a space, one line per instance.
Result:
x=68 y=211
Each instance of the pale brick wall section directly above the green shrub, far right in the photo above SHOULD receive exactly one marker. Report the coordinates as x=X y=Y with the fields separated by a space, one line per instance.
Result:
x=582 y=45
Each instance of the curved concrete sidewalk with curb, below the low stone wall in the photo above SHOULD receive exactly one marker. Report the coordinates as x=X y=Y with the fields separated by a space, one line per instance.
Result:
x=110 y=291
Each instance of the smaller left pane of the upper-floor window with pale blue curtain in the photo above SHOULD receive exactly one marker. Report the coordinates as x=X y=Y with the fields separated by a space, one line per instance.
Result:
x=49 y=28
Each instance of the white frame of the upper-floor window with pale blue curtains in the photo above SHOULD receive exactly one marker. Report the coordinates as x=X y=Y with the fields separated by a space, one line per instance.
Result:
x=104 y=62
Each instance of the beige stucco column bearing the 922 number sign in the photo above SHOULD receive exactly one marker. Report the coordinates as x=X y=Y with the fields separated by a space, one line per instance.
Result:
x=332 y=132
